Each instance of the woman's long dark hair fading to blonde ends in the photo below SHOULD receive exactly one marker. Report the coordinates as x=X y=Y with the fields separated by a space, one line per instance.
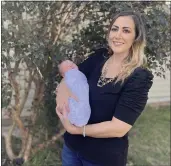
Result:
x=136 y=57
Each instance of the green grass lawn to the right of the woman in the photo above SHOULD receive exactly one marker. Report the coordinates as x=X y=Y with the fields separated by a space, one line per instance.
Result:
x=150 y=138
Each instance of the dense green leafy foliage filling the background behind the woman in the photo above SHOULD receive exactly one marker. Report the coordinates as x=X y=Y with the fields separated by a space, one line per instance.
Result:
x=41 y=34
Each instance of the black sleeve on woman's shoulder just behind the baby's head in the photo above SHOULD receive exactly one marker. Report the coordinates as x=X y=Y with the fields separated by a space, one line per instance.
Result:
x=89 y=64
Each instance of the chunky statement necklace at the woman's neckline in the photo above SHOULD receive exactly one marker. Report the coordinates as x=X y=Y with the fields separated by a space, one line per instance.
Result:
x=102 y=79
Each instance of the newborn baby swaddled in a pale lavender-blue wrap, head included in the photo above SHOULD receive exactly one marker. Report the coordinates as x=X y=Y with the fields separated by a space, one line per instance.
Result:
x=80 y=111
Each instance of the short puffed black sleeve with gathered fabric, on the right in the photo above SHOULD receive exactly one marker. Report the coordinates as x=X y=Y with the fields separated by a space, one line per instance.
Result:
x=134 y=96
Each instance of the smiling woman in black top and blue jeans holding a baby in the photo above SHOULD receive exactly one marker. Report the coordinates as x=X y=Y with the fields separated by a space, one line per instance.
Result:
x=119 y=85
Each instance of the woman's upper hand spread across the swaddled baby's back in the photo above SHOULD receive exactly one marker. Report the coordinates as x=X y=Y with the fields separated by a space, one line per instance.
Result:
x=62 y=95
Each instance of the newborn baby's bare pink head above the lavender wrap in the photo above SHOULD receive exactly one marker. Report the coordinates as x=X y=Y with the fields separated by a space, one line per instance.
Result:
x=66 y=66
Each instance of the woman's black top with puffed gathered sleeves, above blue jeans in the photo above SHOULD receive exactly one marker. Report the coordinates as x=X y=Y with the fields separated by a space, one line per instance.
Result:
x=124 y=101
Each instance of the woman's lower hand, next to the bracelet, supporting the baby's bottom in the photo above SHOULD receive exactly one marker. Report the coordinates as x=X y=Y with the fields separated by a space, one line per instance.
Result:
x=66 y=123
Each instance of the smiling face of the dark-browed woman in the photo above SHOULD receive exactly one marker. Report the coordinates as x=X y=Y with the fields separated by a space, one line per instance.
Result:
x=122 y=35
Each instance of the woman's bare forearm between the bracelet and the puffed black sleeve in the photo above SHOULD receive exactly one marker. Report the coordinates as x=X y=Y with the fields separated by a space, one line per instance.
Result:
x=106 y=129
